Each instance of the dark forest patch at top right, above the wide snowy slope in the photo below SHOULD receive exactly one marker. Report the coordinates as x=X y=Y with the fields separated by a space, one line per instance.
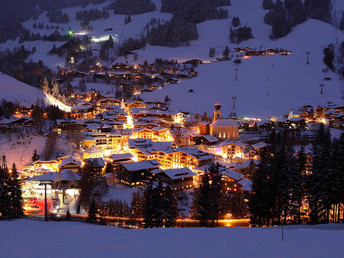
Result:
x=283 y=16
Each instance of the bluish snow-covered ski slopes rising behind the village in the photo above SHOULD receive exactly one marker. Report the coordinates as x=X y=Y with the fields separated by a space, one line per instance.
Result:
x=266 y=85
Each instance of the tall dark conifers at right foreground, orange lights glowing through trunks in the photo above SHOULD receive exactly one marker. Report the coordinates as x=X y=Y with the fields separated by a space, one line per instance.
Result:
x=299 y=188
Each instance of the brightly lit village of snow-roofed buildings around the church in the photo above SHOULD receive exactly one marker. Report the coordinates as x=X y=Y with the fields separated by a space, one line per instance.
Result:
x=130 y=143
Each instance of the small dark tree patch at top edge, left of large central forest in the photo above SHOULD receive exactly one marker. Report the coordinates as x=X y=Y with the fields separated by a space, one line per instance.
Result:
x=131 y=7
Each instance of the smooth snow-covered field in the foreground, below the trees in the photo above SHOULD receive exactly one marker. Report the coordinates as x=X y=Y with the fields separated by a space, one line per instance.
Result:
x=26 y=238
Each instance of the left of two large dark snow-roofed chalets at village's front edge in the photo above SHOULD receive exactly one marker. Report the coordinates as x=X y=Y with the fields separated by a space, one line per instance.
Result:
x=137 y=173
